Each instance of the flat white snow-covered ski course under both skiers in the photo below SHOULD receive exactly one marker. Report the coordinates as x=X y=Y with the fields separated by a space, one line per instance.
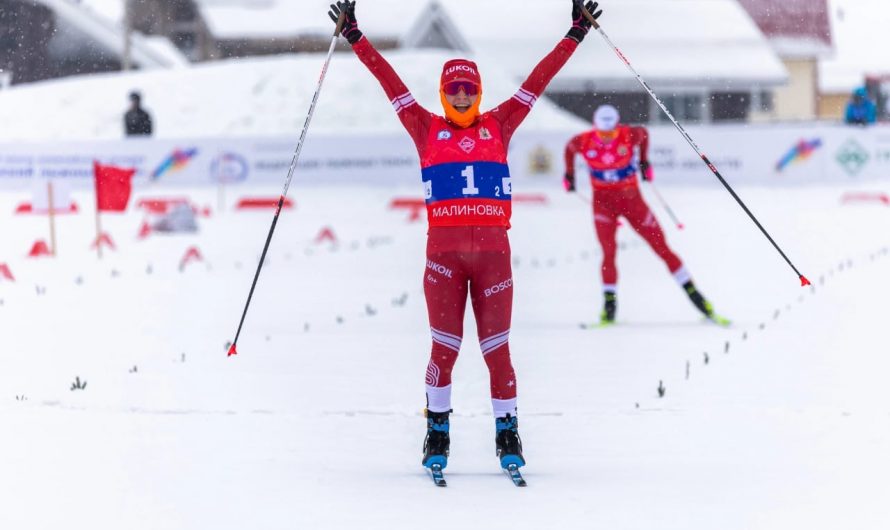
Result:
x=317 y=422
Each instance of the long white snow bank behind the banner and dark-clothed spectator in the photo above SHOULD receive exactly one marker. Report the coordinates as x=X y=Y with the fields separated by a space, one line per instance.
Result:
x=245 y=97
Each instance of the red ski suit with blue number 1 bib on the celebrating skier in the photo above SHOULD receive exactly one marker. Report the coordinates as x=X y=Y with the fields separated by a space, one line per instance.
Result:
x=468 y=192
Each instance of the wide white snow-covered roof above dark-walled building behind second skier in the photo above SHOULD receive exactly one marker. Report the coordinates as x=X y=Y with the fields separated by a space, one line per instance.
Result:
x=697 y=43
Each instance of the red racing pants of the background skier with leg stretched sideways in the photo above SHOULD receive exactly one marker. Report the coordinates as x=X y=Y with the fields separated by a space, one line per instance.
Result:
x=611 y=203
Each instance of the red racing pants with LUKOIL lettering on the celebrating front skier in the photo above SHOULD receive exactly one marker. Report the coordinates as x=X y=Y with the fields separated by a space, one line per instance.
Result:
x=469 y=261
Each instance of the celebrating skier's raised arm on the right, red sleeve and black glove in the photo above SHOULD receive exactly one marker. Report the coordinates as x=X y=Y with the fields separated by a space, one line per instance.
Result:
x=512 y=112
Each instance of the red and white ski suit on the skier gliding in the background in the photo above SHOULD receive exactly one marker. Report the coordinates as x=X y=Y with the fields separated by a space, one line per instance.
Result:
x=616 y=193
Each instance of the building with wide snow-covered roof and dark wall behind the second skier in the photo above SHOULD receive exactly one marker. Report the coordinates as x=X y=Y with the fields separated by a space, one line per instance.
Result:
x=705 y=58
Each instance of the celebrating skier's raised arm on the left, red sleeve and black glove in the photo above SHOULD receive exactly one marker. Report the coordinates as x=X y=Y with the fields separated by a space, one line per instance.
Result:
x=414 y=118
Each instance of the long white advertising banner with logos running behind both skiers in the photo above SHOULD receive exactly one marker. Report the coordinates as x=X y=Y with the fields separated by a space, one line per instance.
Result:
x=745 y=154
